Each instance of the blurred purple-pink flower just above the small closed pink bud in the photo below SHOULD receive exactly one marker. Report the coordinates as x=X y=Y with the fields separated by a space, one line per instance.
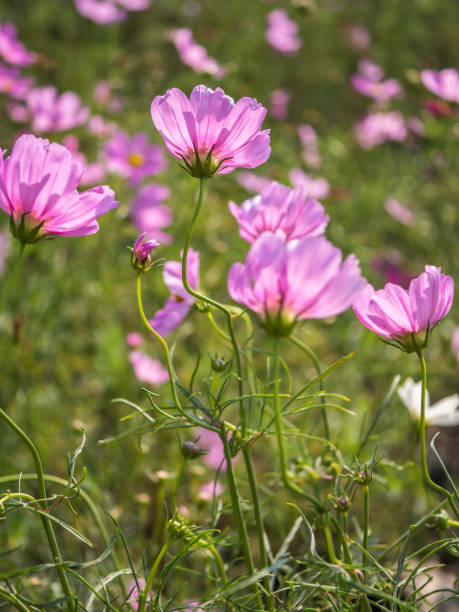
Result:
x=149 y=214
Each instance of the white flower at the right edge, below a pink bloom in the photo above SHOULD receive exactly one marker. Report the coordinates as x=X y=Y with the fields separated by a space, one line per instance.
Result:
x=444 y=413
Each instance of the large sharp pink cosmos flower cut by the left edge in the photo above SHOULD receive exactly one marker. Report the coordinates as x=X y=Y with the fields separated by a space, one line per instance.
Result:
x=38 y=188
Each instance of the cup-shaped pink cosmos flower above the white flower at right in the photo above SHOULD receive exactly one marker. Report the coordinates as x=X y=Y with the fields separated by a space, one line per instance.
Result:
x=403 y=315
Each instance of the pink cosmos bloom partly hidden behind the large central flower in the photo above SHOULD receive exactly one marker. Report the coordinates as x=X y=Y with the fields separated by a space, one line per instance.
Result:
x=287 y=212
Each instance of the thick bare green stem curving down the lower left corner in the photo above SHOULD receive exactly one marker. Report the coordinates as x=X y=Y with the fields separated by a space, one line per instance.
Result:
x=71 y=603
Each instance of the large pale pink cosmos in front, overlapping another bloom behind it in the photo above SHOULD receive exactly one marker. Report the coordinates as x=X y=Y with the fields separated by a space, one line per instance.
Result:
x=286 y=282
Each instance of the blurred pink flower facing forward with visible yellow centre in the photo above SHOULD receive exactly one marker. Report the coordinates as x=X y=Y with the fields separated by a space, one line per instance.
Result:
x=134 y=157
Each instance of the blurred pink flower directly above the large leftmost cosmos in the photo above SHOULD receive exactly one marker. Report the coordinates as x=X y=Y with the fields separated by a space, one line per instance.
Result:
x=51 y=112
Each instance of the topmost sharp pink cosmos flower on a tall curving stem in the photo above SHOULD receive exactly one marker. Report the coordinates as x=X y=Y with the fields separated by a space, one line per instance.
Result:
x=209 y=132
